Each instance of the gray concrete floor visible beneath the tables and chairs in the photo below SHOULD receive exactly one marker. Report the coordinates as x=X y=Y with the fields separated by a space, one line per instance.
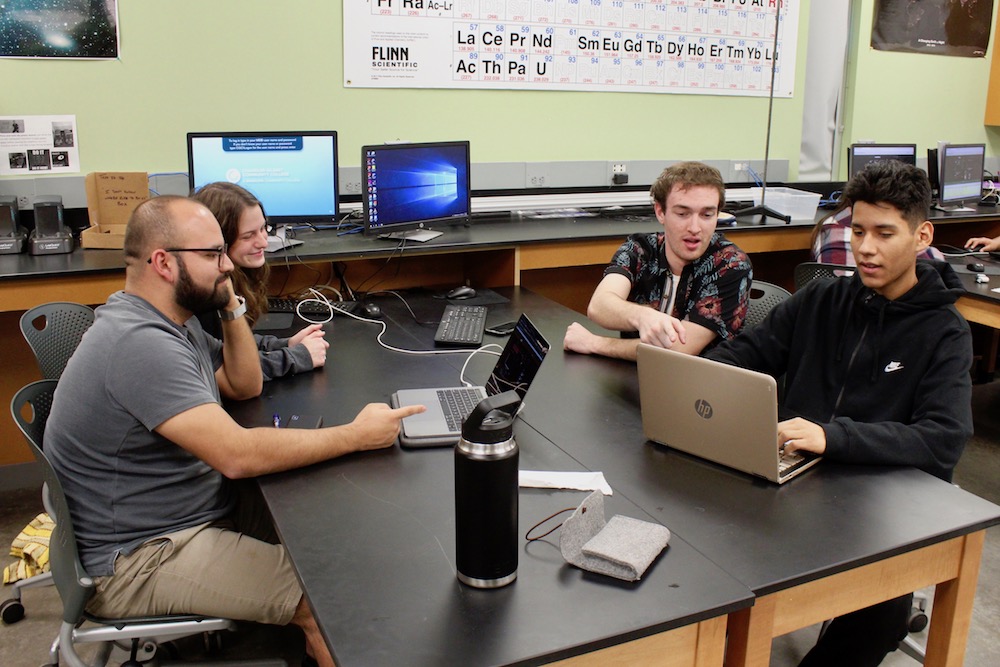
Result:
x=25 y=644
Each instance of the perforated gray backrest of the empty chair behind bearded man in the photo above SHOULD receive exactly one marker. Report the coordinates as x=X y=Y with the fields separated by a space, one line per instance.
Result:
x=63 y=325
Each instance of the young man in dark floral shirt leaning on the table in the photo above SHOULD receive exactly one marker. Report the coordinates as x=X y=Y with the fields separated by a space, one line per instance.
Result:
x=684 y=288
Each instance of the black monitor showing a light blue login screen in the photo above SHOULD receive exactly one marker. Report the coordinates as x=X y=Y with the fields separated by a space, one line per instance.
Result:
x=293 y=174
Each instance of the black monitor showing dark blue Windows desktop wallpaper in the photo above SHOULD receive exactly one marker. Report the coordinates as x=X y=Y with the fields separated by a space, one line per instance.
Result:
x=408 y=188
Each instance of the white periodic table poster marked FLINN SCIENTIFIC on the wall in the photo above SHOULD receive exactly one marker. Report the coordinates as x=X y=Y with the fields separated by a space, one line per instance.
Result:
x=714 y=47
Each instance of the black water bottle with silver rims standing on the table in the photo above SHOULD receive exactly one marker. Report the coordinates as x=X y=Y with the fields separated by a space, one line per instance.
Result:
x=486 y=494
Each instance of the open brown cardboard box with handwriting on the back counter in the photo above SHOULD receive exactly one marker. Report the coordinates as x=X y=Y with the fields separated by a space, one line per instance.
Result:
x=111 y=198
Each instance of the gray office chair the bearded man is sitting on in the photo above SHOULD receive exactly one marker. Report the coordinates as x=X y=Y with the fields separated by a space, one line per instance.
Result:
x=30 y=410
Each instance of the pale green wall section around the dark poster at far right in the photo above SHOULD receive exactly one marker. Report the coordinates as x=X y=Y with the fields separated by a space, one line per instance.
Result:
x=914 y=97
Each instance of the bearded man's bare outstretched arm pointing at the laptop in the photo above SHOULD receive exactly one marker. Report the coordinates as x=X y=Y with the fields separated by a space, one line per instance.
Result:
x=208 y=432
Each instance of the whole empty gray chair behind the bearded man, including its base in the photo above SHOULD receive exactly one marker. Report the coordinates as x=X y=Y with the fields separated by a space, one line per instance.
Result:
x=53 y=331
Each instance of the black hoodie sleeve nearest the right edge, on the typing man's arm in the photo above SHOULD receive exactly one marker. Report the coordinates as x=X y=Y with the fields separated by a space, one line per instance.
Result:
x=941 y=422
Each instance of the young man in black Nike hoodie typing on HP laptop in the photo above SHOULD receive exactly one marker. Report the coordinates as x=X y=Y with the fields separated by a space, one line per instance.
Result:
x=876 y=364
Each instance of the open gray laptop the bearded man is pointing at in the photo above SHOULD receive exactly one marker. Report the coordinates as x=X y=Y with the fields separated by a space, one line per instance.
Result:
x=447 y=407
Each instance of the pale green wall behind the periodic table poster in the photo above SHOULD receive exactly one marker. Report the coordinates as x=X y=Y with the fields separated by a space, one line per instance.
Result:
x=192 y=65
